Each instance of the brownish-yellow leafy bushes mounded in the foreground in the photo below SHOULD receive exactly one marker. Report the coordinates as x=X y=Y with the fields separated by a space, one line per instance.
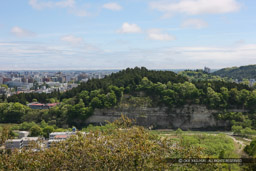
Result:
x=119 y=147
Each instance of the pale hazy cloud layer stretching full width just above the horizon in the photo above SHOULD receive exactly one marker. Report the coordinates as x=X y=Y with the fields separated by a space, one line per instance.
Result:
x=22 y=55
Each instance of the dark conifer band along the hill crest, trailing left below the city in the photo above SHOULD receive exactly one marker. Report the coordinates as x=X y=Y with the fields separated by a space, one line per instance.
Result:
x=128 y=78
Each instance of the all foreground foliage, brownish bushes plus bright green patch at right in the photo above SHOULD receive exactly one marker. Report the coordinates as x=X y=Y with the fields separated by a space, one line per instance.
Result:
x=123 y=146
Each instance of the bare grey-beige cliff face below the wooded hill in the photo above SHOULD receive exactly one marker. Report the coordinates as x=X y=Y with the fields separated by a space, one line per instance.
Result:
x=187 y=117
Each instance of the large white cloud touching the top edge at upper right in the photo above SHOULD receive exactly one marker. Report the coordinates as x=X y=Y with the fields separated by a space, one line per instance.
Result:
x=196 y=7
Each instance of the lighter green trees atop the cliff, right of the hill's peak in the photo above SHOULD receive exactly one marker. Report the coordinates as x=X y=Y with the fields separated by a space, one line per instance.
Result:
x=216 y=95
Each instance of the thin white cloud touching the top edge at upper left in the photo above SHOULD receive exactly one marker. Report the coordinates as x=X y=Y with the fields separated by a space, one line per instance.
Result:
x=38 y=4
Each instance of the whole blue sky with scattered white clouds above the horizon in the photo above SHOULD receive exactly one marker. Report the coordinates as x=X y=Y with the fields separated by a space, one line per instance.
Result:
x=157 y=34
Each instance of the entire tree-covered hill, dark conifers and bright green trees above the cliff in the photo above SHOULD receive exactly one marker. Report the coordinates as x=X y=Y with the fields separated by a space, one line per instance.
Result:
x=161 y=88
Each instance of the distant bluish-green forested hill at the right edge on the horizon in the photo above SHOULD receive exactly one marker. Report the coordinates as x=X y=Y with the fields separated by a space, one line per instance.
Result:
x=243 y=72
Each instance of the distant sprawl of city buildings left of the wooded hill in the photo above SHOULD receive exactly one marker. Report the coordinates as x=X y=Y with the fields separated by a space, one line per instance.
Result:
x=33 y=81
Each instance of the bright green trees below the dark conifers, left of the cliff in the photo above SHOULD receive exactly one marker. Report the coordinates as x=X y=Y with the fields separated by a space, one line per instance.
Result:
x=71 y=112
